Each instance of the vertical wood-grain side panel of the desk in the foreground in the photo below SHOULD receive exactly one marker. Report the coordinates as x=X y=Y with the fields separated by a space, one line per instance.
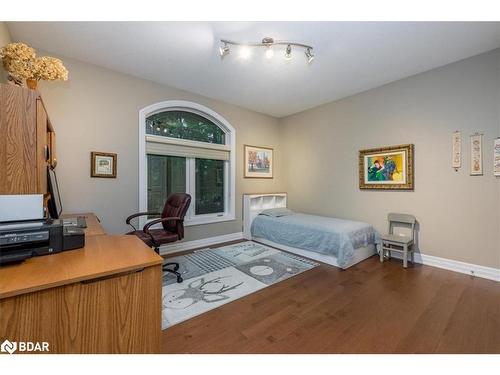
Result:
x=119 y=314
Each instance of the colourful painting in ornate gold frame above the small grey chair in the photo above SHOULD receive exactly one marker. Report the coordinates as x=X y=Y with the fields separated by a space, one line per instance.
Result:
x=387 y=168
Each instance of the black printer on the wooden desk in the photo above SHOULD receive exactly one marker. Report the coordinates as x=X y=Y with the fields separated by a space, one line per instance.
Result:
x=26 y=239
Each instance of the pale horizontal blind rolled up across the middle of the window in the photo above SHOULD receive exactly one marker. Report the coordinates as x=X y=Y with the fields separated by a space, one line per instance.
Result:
x=176 y=148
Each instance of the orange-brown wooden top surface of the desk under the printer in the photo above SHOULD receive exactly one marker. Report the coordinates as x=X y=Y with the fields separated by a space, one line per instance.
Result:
x=103 y=255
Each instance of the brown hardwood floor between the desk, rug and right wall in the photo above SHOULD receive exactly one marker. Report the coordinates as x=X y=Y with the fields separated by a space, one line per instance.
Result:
x=369 y=308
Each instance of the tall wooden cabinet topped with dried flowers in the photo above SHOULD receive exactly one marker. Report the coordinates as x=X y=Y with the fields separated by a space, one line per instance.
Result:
x=27 y=141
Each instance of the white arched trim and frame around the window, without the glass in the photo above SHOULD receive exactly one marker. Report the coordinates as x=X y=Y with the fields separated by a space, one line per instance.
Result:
x=229 y=185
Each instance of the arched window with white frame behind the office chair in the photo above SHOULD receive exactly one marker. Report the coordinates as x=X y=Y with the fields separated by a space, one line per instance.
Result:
x=186 y=147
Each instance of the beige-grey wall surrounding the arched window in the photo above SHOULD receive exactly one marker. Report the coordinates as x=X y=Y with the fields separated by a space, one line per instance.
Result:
x=97 y=110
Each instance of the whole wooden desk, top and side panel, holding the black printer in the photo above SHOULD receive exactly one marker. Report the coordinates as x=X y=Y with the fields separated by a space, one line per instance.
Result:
x=103 y=298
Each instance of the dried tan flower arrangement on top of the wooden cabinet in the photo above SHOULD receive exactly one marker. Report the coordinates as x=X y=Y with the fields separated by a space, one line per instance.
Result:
x=21 y=62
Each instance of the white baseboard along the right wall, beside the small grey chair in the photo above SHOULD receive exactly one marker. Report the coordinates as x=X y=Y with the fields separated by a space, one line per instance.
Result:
x=489 y=273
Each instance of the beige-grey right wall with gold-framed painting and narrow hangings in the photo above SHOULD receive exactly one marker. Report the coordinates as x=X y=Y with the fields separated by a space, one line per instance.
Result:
x=458 y=213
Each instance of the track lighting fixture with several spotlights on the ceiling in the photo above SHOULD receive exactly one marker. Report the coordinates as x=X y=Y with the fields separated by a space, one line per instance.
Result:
x=268 y=43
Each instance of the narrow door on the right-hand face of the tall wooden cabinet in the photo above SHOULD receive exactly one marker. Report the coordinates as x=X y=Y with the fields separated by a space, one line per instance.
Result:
x=41 y=147
